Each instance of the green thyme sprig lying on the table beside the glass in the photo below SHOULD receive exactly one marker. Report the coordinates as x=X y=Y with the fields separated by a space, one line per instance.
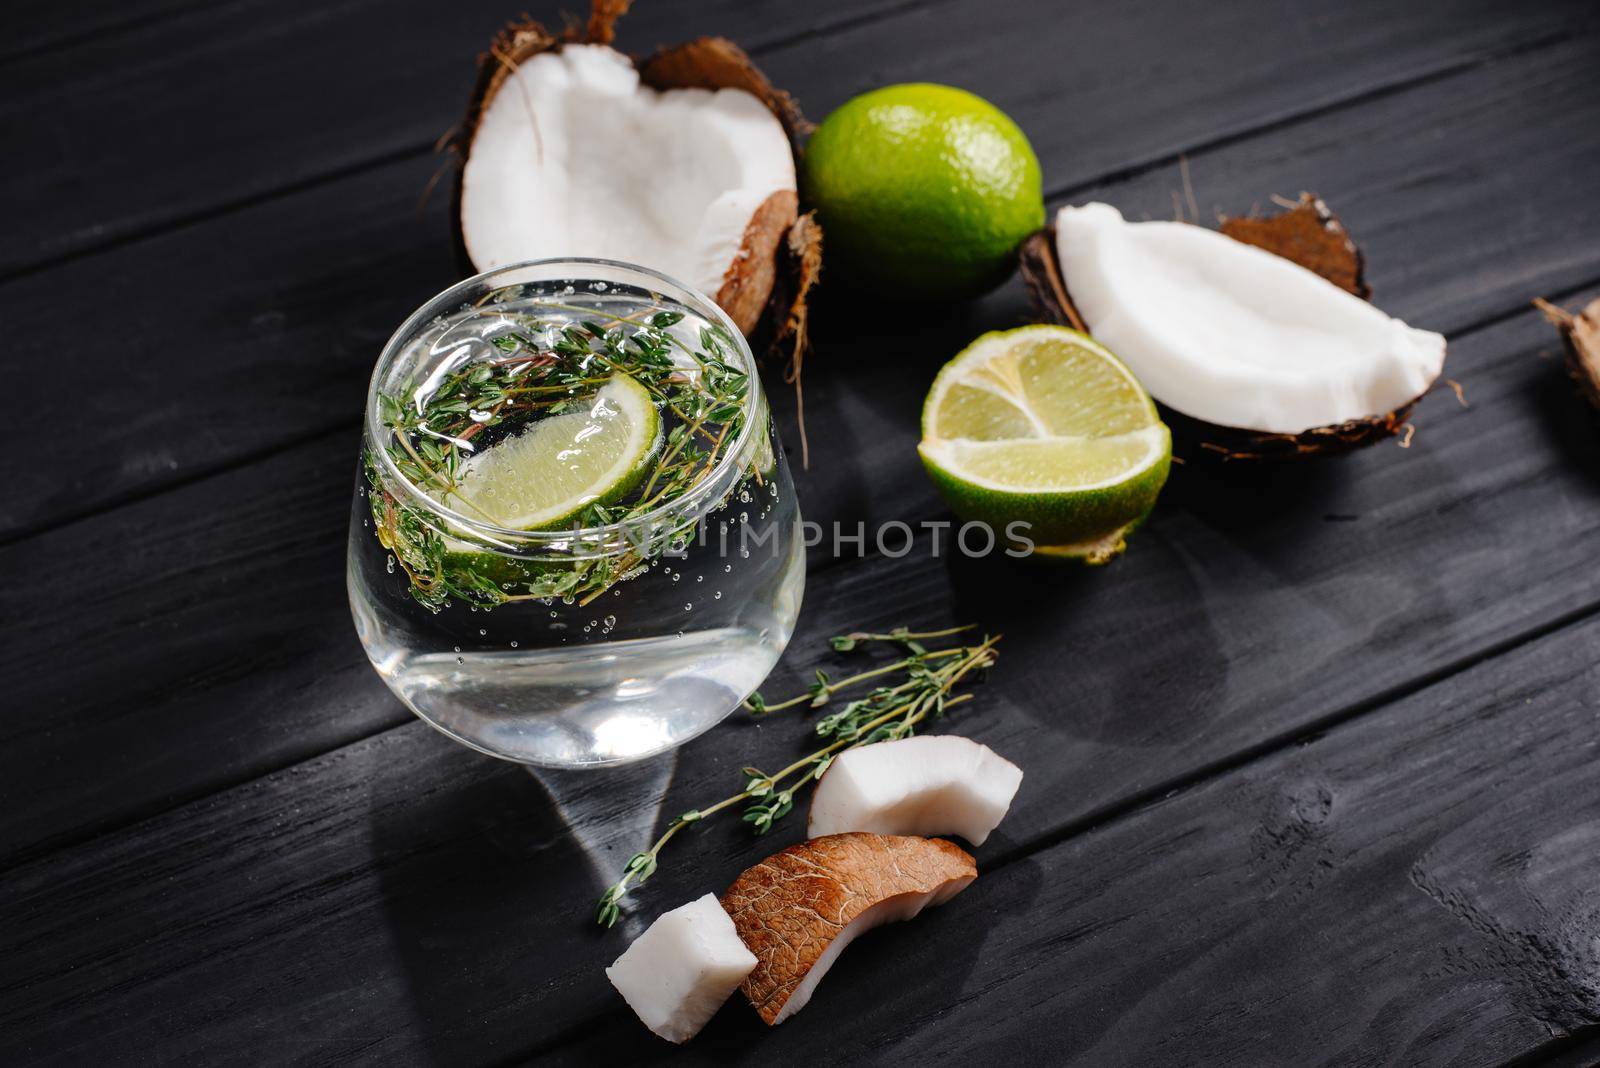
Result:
x=890 y=711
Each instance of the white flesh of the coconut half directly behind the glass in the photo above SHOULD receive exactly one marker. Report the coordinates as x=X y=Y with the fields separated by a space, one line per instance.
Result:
x=575 y=157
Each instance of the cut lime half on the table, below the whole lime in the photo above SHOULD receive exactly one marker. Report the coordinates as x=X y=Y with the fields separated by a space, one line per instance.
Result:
x=1044 y=426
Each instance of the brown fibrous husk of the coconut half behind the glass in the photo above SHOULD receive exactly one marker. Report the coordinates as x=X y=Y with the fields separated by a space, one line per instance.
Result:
x=770 y=281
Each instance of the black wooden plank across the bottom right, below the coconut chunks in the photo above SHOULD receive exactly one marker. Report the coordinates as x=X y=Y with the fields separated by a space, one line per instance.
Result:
x=1417 y=888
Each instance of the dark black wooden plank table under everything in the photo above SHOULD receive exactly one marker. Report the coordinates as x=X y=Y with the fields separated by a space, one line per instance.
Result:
x=1313 y=773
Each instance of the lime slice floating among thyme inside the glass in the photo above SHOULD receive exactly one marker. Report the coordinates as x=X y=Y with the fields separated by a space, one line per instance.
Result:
x=553 y=471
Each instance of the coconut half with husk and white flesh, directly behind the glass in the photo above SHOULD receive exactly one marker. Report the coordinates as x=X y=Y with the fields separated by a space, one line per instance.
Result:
x=684 y=162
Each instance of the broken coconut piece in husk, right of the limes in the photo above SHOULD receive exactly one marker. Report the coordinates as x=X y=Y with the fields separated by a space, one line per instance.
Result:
x=1258 y=337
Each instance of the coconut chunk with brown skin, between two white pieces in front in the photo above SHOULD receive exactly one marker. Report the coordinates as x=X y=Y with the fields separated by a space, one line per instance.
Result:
x=799 y=909
